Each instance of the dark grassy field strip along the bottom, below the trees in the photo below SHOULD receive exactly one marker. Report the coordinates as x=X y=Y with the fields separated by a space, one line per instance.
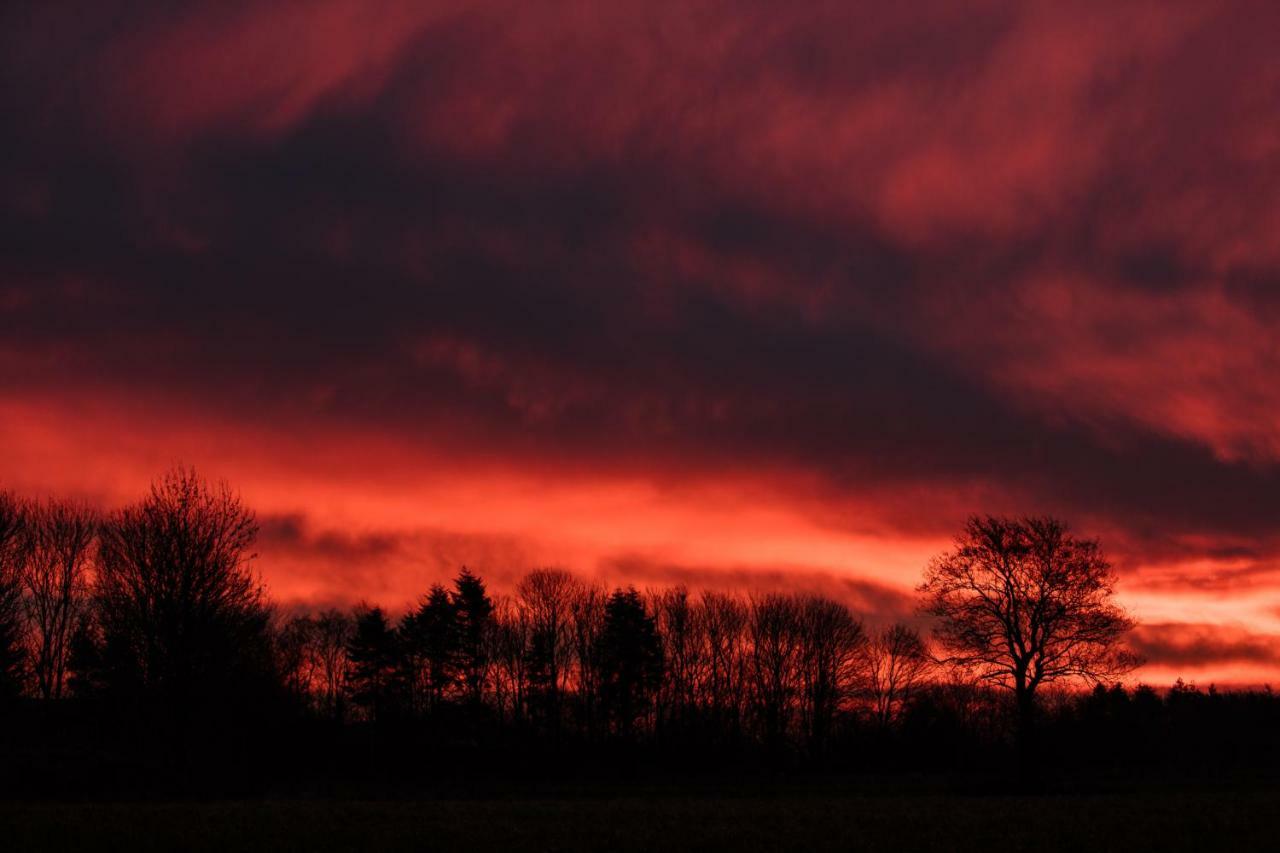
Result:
x=1119 y=822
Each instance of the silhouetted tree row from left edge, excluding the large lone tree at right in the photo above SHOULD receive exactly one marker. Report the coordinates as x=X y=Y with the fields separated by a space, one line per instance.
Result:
x=157 y=605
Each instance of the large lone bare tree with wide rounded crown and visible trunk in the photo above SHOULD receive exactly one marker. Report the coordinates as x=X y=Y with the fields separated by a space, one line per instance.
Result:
x=1023 y=603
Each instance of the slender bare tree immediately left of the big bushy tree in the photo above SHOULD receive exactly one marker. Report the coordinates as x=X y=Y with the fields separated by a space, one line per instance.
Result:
x=56 y=586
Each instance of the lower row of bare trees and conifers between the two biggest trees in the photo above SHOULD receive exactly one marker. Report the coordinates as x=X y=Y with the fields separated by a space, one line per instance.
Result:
x=563 y=654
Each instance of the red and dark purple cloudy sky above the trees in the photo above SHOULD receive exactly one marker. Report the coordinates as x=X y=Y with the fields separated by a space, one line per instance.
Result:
x=737 y=295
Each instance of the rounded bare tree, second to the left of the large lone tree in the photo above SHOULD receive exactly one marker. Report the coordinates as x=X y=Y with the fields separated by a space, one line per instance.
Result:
x=831 y=645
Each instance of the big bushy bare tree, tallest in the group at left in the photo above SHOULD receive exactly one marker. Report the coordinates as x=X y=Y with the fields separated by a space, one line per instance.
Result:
x=182 y=619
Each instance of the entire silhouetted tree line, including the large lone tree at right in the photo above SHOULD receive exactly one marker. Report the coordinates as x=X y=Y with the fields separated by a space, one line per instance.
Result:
x=152 y=621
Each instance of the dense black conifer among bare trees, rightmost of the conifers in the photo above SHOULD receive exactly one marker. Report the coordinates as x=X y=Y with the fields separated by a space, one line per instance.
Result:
x=630 y=659
